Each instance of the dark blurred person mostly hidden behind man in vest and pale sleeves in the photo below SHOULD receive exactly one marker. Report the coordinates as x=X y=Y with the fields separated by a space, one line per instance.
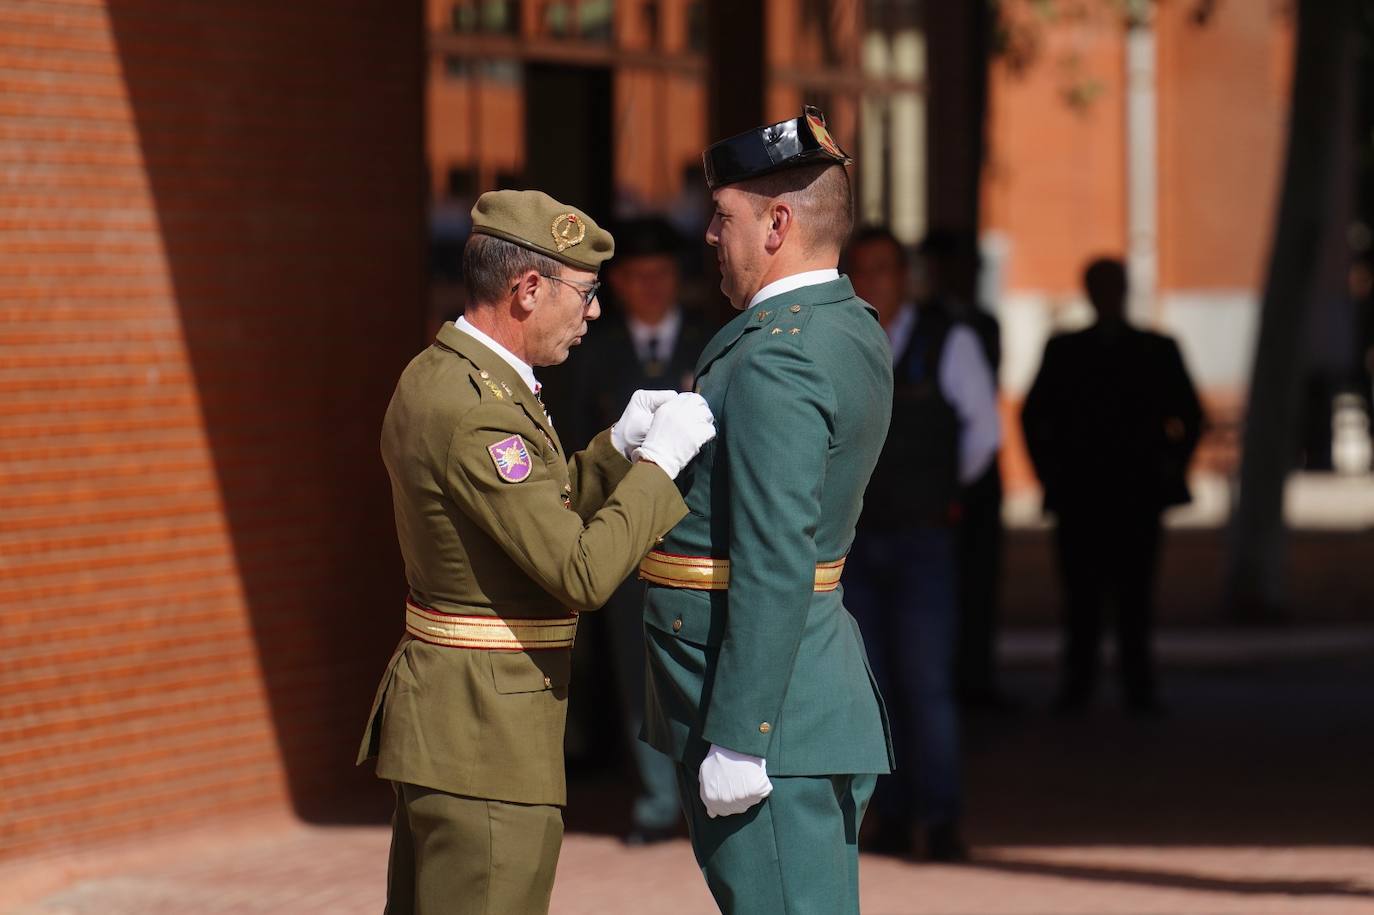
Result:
x=947 y=270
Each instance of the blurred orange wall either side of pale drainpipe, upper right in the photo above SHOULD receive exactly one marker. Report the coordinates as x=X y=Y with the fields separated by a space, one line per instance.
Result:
x=1056 y=181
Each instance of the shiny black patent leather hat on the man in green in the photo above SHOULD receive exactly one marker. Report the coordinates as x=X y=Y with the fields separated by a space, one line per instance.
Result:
x=770 y=149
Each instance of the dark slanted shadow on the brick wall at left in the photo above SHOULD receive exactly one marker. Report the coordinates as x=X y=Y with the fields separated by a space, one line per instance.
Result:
x=284 y=152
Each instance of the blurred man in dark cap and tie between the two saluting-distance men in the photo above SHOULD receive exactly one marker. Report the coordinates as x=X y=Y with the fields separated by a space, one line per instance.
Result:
x=649 y=341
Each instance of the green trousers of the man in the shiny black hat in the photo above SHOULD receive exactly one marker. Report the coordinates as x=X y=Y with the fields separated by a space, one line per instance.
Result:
x=796 y=854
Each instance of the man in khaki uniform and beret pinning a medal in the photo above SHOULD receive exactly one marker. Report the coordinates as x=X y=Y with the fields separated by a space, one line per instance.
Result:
x=505 y=541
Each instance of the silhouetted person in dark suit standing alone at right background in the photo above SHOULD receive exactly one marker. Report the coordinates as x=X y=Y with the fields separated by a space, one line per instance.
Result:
x=1111 y=422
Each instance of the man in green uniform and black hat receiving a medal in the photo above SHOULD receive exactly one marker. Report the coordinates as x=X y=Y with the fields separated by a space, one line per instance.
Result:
x=759 y=684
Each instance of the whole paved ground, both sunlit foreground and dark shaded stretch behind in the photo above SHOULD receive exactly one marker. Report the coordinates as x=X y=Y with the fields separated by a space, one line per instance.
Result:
x=1254 y=798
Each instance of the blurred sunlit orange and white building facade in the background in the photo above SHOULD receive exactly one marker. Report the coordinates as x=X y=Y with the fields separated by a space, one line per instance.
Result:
x=1158 y=139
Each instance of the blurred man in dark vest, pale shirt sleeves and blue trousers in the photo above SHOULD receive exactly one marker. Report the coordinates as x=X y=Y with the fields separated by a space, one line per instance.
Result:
x=902 y=579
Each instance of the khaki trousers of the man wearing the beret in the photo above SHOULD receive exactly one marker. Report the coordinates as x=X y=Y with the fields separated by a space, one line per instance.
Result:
x=455 y=855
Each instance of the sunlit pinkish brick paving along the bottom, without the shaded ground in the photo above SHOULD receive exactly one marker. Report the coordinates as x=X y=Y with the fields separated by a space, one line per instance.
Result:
x=293 y=869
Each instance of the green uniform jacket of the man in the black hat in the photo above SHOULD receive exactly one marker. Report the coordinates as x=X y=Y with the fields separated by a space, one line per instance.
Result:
x=802 y=389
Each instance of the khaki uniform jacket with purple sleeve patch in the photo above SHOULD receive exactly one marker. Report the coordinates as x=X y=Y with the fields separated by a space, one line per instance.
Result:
x=477 y=542
